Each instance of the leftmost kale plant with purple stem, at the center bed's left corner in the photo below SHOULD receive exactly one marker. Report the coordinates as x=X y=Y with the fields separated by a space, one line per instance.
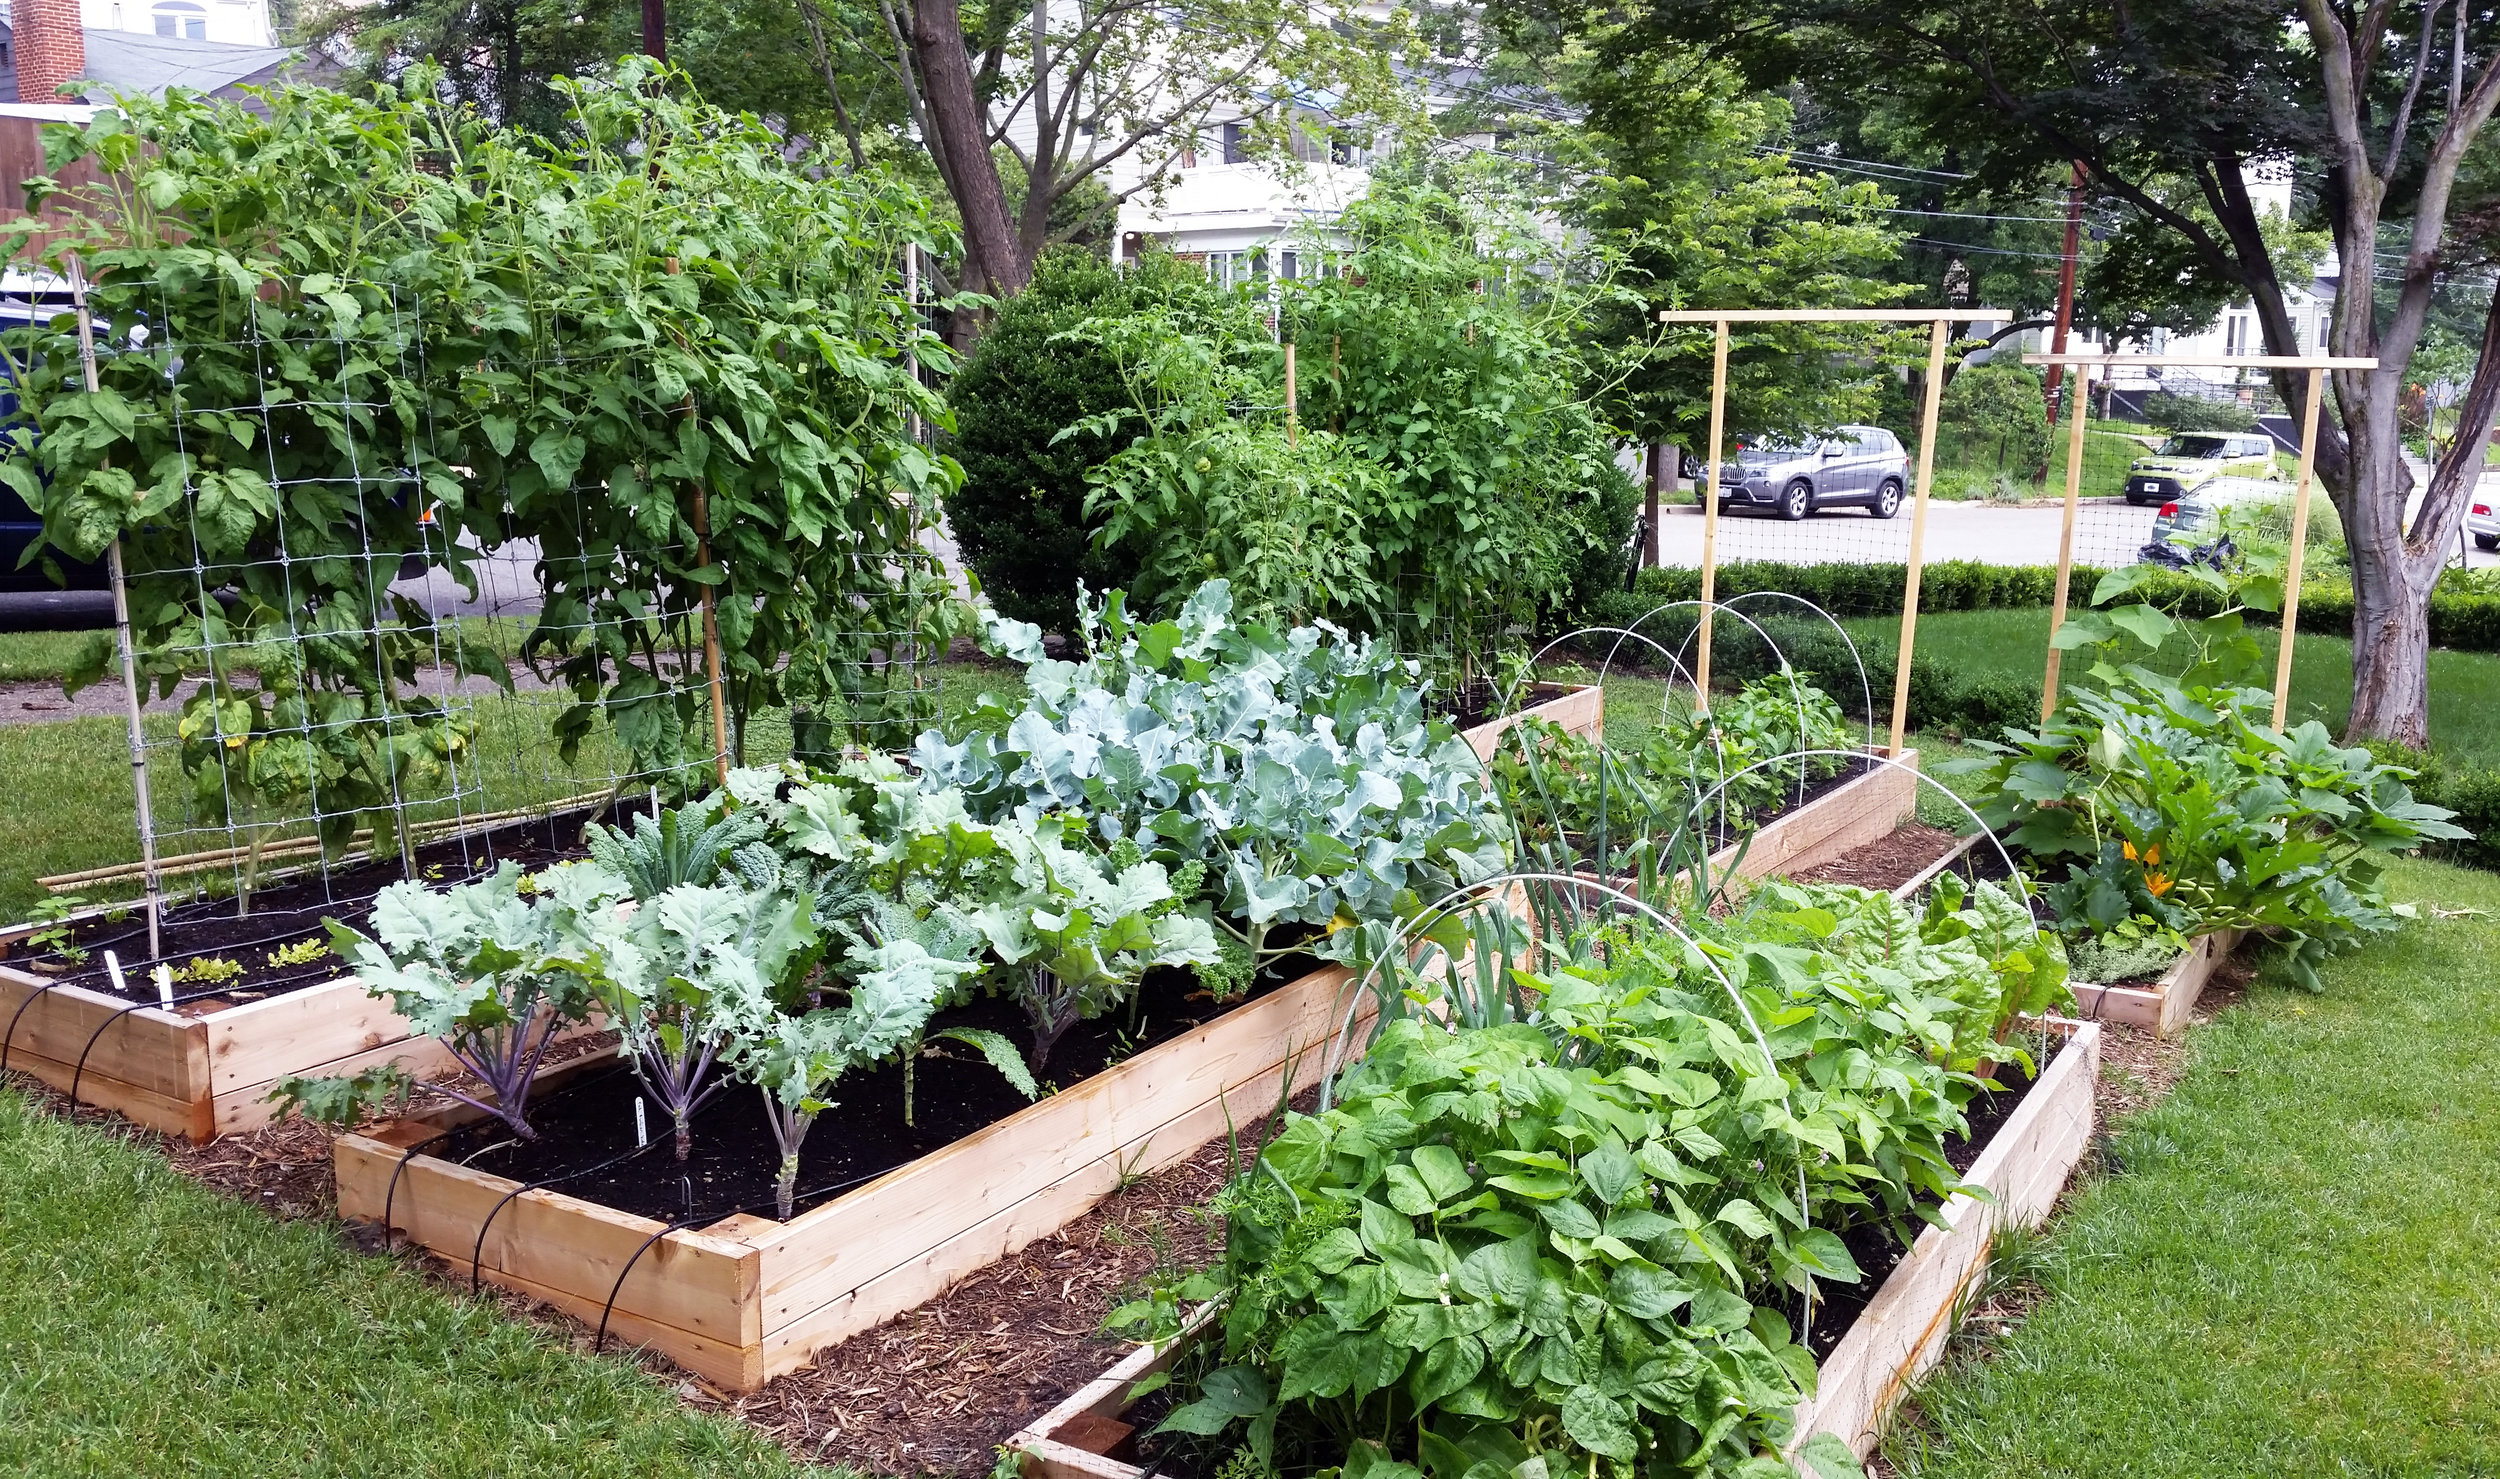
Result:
x=486 y=968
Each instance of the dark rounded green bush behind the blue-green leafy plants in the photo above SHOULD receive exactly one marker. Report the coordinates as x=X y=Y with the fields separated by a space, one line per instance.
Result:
x=1021 y=511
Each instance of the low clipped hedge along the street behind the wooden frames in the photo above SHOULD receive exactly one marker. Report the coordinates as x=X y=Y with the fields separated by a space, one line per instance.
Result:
x=2466 y=621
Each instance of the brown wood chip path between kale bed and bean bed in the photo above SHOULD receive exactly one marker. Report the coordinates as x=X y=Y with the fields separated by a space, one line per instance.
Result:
x=936 y=1390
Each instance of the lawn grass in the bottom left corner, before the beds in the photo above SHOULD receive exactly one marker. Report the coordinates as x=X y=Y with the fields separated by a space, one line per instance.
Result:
x=156 y=1328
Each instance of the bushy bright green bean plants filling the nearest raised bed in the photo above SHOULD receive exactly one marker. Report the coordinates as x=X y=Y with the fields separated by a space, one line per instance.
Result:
x=1586 y=1235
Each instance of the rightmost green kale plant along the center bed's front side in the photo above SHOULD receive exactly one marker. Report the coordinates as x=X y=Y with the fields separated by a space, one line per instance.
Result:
x=1079 y=928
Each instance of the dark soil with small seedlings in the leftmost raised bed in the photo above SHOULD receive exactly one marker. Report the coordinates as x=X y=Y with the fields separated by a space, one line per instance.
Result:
x=291 y=913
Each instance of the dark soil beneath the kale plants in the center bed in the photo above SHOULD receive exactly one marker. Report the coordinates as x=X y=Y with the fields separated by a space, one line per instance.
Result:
x=589 y=1140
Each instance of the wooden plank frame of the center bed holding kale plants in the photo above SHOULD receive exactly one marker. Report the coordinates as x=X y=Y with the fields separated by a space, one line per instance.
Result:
x=746 y=1298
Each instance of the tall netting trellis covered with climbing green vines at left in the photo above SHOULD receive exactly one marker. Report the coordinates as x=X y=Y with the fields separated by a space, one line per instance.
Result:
x=436 y=451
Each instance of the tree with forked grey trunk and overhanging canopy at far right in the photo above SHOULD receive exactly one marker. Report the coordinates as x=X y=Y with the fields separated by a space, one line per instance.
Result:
x=2169 y=109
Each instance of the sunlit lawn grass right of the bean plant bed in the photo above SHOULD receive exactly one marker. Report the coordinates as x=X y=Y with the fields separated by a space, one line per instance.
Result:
x=2294 y=1270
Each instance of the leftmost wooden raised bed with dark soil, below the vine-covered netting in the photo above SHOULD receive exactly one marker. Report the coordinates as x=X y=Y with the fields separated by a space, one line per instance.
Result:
x=206 y=1066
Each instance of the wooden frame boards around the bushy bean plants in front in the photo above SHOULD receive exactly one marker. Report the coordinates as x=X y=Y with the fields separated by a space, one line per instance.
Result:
x=1896 y=1338
